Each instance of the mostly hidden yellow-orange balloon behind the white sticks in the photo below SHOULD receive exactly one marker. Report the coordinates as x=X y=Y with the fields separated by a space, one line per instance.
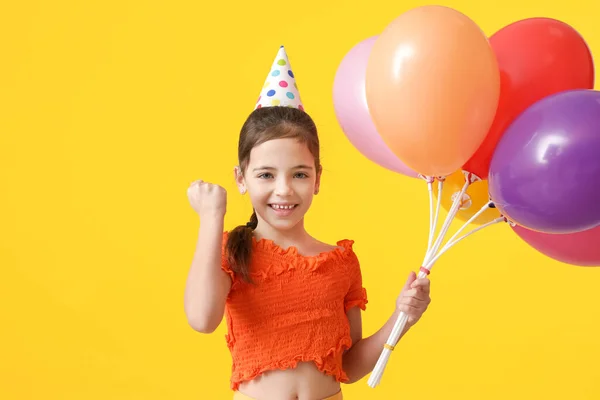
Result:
x=475 y=197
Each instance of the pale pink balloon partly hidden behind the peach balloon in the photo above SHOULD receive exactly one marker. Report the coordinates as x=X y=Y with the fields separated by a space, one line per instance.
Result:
x=352 y=112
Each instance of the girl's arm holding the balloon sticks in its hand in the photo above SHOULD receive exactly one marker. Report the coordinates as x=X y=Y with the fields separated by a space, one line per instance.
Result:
x=361 y=358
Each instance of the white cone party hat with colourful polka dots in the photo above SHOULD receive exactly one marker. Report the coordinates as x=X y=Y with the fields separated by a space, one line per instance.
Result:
x=280 y=87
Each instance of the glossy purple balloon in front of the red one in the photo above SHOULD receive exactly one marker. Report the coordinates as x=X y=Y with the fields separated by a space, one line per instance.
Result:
x=545 y=172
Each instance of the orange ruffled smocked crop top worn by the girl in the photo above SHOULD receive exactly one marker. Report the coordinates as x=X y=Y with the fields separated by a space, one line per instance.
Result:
x=294 y=312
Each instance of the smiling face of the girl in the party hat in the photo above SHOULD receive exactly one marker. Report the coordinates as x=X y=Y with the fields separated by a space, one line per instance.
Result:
x=281 y=181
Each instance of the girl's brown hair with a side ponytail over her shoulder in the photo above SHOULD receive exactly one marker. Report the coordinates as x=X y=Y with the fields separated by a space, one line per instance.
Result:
x=262 y=125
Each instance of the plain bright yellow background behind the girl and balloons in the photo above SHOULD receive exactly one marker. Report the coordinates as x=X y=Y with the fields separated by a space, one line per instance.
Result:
x=109 y=109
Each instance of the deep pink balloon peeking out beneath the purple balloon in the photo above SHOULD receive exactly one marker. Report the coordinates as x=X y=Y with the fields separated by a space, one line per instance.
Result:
x=579 y=248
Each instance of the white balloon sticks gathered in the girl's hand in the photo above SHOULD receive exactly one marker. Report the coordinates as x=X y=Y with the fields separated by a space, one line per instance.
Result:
x=433 y=253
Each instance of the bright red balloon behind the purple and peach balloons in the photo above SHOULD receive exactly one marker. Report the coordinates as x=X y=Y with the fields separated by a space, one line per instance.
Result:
x=537 y=57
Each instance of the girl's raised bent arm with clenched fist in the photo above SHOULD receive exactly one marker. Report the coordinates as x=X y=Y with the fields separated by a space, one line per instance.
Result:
x=207 y=284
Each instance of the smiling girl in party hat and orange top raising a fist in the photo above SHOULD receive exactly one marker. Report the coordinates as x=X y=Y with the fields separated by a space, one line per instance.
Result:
x=292 y=303
